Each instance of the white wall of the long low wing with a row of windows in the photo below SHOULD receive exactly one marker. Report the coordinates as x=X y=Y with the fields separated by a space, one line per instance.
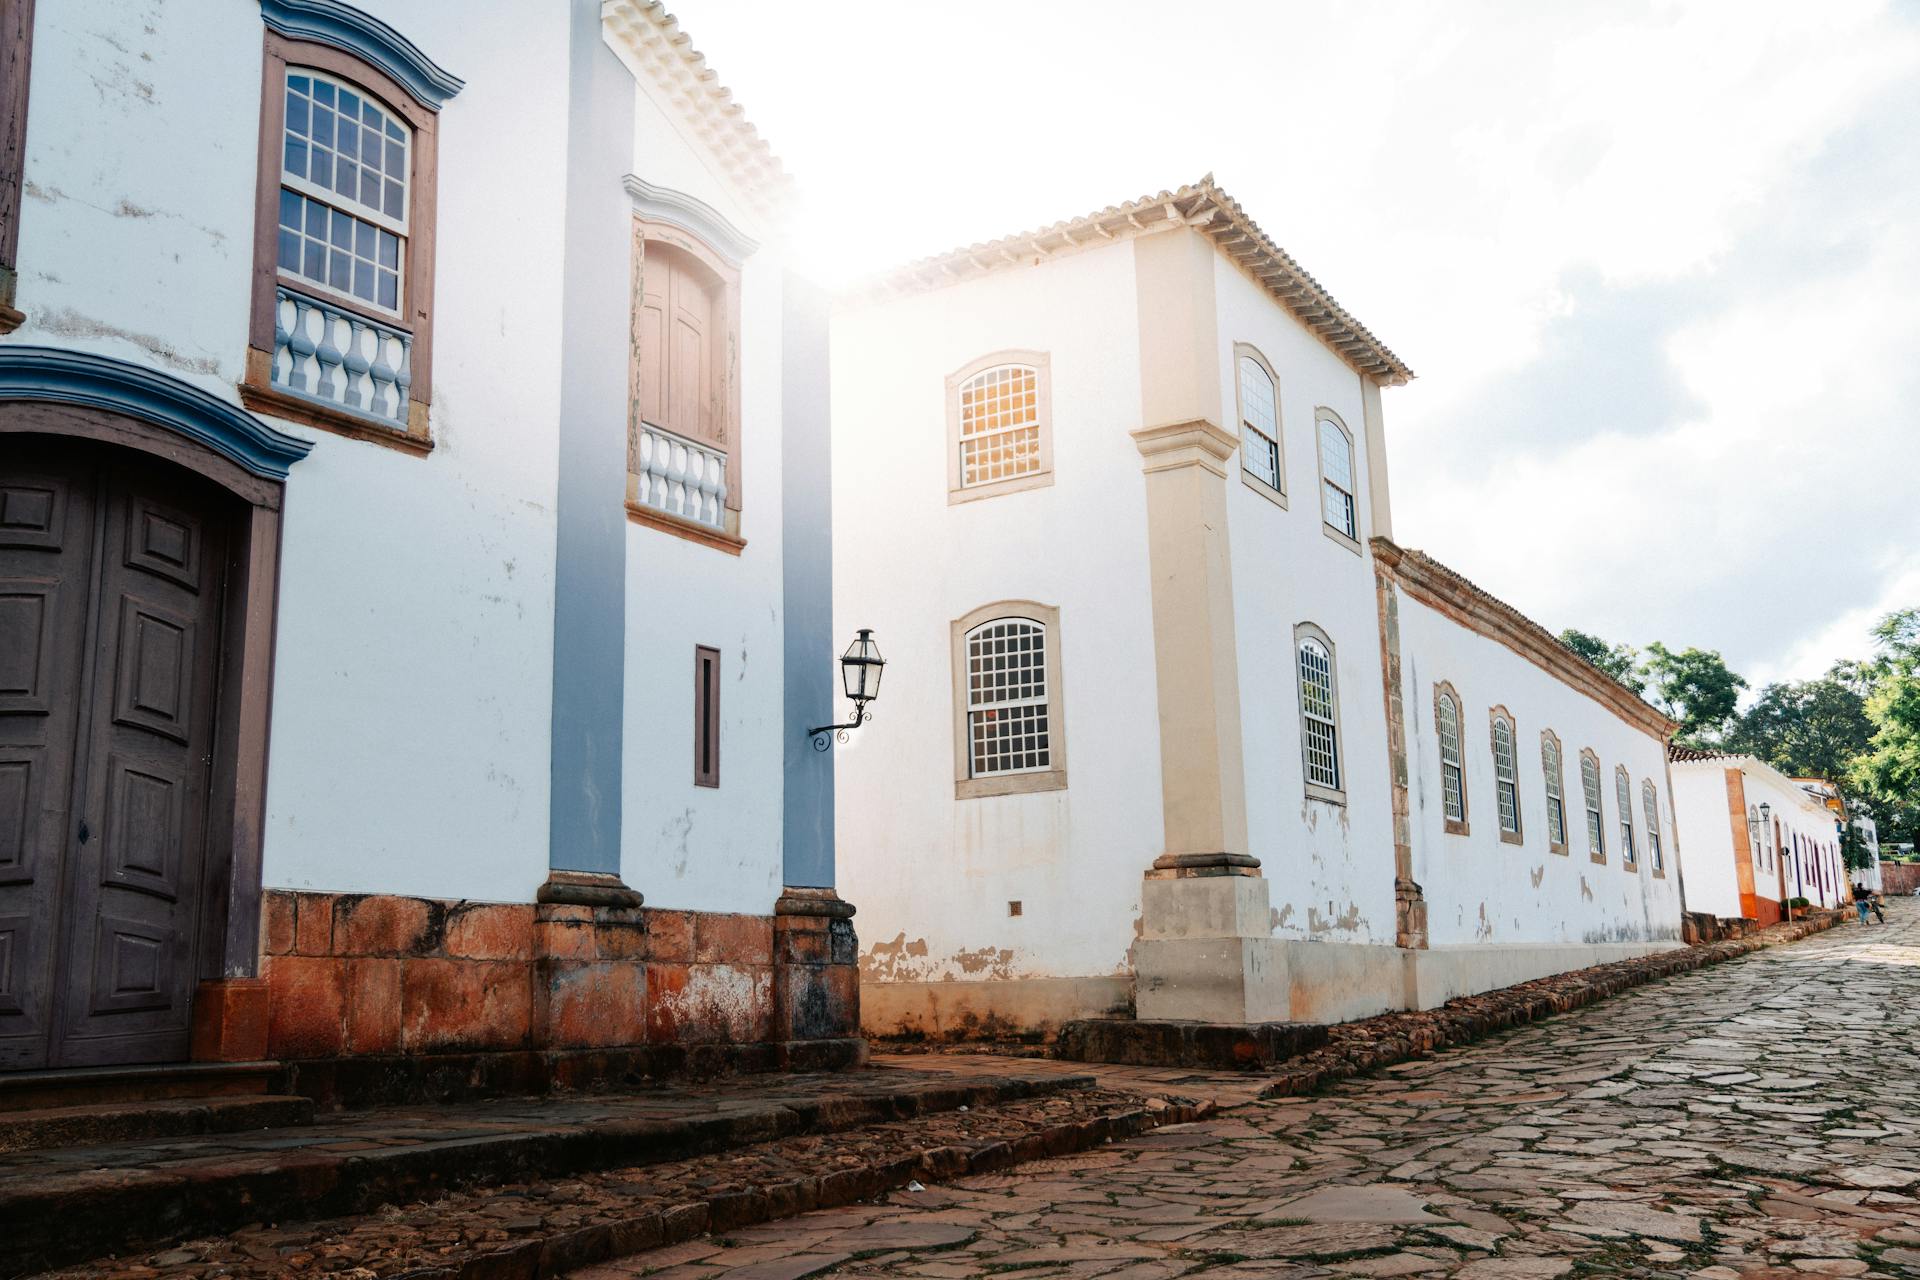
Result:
x=1481 y=889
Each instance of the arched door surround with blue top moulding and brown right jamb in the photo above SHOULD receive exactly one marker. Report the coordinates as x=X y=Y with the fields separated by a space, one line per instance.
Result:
x=87 y=396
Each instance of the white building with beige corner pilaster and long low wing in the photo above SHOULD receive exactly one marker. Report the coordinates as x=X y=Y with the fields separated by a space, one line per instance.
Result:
x=1172 y=723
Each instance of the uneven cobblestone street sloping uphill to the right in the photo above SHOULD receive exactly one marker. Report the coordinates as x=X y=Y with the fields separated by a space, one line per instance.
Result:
x=1750 y=1120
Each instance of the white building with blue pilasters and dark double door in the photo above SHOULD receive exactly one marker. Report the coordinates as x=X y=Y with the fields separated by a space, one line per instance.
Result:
x=429 y=400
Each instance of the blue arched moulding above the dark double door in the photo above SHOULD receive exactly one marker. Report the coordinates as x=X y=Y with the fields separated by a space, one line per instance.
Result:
x=55 y=375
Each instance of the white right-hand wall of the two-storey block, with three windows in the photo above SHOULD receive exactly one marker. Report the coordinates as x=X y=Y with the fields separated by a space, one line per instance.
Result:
x=1330 y=866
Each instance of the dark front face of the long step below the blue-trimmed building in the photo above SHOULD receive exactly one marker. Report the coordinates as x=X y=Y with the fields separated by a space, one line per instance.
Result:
x=89 y=1214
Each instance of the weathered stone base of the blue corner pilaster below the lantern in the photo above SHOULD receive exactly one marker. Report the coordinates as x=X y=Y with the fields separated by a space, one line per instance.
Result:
x=817 y=978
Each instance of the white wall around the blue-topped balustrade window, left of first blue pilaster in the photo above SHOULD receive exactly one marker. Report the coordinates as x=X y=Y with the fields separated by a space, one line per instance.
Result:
x=412 y=688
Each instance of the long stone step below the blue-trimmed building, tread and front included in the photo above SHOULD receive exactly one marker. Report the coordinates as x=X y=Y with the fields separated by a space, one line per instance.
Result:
x=80 y=1204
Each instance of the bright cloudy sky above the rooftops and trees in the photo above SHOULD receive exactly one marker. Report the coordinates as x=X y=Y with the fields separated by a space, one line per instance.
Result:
x=1656 y=264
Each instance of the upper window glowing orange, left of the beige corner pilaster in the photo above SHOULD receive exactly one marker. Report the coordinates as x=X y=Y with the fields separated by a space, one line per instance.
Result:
x=999 y=427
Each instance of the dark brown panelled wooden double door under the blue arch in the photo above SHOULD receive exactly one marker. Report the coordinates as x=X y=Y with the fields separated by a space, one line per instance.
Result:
x=112 y=582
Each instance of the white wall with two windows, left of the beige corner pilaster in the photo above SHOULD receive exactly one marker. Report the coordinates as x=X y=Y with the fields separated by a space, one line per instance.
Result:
x=932 y=876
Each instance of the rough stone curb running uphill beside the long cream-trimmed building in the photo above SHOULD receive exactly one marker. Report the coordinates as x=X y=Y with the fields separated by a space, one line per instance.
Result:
x=1393 y=1039
